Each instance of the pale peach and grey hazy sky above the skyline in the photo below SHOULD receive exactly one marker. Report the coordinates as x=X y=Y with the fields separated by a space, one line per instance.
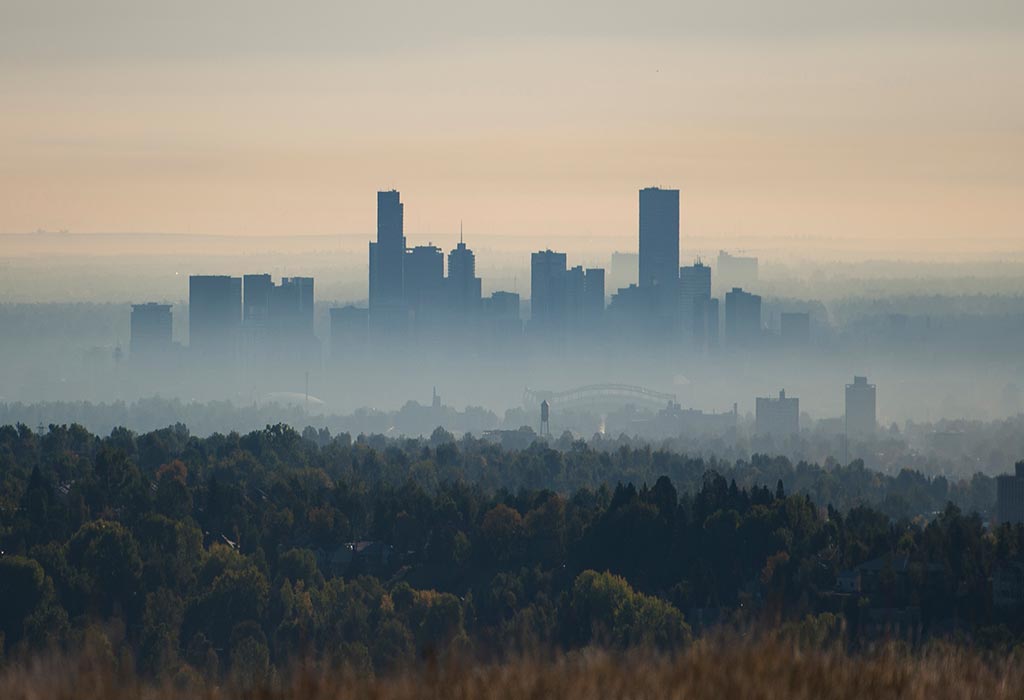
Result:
x=893 y=127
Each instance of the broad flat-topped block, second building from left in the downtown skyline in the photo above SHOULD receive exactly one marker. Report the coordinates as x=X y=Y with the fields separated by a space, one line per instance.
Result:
x=215 y=316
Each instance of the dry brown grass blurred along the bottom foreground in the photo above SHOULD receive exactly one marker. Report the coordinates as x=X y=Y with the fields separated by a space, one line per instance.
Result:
x=707 y=671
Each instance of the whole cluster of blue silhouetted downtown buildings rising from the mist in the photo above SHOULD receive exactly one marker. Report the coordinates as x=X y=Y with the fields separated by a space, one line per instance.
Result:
x=413 y=300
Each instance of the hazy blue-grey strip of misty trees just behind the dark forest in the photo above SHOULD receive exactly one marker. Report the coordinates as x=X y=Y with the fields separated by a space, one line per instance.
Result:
x=954 y=450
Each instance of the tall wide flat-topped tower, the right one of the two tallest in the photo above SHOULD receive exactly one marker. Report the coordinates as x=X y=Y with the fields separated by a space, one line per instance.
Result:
x=660 y=239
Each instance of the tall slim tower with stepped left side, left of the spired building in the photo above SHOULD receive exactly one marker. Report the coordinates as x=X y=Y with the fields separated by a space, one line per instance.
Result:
x=388 y=303
